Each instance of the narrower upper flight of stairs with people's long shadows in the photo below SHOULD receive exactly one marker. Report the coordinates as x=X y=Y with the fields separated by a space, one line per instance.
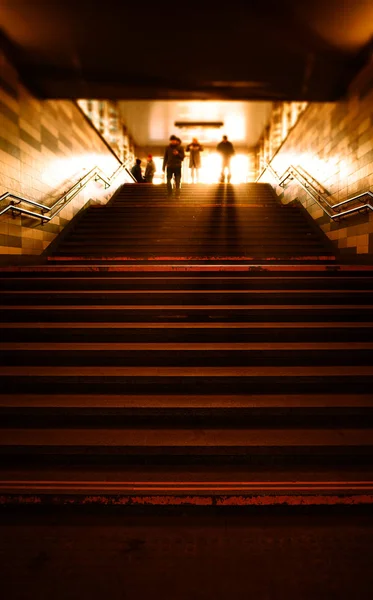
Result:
x=214 y=223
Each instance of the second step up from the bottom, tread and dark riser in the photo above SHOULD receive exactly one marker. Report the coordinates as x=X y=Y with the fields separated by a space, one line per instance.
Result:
x=185 y=441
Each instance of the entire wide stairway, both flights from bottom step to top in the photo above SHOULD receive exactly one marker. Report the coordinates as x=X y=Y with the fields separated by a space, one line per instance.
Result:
x=210 y=351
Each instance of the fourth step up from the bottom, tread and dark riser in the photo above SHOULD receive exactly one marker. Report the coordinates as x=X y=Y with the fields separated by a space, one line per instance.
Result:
x=186 y=380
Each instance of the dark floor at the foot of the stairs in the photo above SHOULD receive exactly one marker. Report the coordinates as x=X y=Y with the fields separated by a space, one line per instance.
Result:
x=77 y=554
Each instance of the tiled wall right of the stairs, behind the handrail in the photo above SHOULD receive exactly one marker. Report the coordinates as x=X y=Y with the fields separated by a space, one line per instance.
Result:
x=334 y=143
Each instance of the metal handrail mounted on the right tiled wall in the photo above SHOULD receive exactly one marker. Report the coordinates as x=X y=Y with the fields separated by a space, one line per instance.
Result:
x=332 y=210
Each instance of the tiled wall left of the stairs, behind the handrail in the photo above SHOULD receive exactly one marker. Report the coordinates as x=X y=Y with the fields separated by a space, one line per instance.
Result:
x=45 y=147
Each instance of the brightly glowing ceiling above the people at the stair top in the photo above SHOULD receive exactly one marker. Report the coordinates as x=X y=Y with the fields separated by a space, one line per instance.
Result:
x=152 y=122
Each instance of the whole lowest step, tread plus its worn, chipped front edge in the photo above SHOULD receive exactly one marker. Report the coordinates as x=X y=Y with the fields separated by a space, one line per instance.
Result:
x=190 y=485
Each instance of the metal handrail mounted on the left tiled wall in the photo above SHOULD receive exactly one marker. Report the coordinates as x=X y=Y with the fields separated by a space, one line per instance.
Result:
x=96 y=173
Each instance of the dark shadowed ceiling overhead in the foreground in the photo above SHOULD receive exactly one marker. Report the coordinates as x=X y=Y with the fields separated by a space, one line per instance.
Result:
x=191 y=50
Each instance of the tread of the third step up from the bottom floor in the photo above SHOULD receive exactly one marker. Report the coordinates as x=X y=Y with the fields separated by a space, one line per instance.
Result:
x=205 y=403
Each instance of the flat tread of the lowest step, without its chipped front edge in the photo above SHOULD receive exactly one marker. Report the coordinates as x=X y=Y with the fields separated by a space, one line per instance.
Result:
x=211 y=481
